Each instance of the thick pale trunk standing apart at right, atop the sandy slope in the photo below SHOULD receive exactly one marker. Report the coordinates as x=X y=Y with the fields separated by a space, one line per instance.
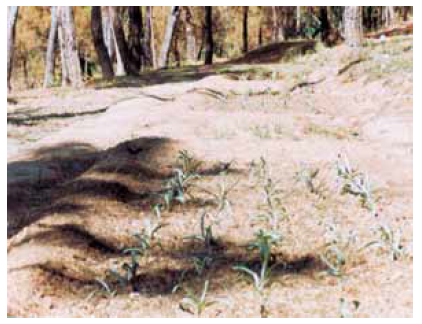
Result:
x=353 y=26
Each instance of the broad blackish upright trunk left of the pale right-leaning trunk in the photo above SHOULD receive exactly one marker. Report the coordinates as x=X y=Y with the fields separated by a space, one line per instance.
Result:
x=135 y=35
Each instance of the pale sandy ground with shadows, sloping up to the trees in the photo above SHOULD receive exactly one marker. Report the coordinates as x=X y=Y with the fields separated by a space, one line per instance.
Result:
x=85 y=167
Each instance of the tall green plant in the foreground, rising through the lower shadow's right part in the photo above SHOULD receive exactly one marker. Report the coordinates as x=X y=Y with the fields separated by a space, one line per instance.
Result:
x=264 y=241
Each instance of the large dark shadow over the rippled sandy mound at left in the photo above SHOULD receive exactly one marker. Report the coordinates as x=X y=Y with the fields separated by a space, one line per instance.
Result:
x=72 y=178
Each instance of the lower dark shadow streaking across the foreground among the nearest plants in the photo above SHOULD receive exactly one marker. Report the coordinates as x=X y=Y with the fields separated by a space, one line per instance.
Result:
x=161 y=279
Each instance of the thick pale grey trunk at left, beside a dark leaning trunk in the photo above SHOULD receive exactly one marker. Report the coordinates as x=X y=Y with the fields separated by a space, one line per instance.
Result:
x=70 y=49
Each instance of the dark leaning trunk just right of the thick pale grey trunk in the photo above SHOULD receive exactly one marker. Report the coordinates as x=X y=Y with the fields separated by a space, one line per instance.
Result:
x=100 y=47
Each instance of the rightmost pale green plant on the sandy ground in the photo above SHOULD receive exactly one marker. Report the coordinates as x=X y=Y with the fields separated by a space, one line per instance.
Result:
x=390 y=241
